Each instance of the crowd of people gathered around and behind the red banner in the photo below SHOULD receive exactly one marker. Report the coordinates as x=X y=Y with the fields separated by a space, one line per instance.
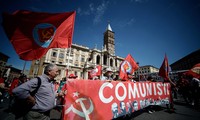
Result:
x=49 y=93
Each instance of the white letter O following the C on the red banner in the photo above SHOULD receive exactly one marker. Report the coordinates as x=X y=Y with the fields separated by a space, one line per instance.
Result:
x=120 y=98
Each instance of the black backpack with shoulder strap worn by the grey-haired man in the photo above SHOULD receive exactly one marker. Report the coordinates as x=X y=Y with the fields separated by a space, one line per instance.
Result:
x=20 y=107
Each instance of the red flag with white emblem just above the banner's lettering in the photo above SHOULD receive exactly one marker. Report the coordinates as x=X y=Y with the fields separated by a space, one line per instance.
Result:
x=127 y=66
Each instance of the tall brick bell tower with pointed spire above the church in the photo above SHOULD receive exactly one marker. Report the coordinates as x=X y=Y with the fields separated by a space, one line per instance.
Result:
x=109 y=40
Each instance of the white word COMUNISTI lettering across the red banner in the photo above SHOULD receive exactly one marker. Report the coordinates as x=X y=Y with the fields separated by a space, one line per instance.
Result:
x=145 y=89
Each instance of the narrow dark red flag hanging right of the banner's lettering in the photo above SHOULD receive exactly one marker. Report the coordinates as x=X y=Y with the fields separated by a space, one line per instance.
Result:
x=164 y=69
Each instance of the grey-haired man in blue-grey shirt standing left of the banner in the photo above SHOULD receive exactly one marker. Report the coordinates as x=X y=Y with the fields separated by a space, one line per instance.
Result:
x=44 y=99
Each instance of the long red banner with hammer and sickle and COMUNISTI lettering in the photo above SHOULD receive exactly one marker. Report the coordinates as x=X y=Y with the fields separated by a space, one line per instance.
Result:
x=98 y=100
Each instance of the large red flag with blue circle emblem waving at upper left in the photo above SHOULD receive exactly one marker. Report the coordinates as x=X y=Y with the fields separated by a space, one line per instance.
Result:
x=32 y=34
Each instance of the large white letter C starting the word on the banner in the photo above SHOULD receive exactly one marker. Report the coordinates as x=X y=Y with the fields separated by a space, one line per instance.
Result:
x=101 y=96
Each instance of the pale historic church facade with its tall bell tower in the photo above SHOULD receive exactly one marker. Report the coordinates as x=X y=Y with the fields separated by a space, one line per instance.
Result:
x=80 y=59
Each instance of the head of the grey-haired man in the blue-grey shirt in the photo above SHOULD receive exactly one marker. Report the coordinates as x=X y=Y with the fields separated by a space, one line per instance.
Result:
x=51 y=70
